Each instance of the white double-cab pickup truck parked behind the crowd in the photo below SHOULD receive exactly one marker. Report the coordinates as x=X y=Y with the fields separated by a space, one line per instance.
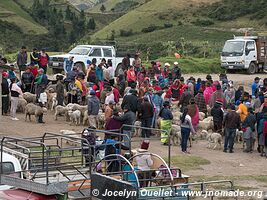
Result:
x=83 y=53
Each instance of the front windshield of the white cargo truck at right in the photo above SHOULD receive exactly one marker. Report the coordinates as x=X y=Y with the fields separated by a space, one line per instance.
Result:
x=234 y=48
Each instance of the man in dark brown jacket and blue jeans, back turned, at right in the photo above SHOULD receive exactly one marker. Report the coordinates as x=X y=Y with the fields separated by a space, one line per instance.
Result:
x=231 y=122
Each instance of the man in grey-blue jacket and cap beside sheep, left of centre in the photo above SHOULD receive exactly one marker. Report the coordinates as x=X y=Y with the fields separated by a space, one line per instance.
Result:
x=93 y=109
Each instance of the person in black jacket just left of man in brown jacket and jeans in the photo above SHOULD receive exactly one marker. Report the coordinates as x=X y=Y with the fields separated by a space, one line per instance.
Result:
x=217 y=114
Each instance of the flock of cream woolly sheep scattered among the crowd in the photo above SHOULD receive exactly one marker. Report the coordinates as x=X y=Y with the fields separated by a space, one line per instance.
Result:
x=77 y=114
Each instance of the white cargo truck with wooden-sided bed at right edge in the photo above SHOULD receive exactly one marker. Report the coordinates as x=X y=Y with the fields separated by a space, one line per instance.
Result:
x=245 y=53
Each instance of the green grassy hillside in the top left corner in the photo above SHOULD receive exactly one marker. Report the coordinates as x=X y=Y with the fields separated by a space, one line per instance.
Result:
x=13 y=13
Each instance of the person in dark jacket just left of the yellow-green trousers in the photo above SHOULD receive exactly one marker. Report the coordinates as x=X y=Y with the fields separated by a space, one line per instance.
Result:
x=146 y=112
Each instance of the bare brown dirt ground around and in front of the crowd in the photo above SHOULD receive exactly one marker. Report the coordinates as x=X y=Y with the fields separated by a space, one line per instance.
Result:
x=248 y=170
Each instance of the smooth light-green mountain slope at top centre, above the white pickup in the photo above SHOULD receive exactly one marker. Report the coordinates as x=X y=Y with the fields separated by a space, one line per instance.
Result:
x=150 y=13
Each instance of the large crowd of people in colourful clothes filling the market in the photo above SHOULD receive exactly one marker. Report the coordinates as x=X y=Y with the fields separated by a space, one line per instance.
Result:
x=147 y=94
